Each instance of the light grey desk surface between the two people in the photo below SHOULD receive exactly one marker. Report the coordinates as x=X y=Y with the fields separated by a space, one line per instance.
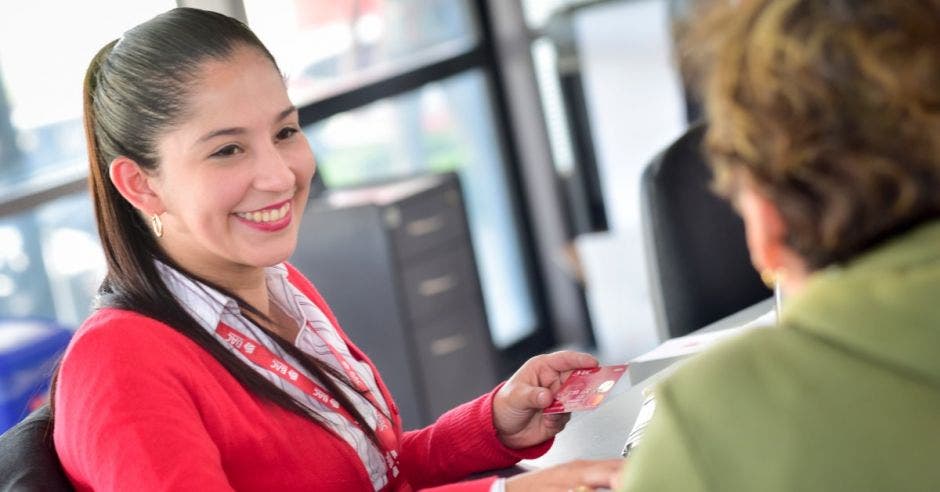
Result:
x=601 y=433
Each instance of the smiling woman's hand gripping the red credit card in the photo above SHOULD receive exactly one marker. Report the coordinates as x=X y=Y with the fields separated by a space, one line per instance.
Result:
x=517 y=406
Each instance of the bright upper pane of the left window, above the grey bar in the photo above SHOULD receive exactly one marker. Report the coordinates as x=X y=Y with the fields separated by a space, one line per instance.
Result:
x=41 y=78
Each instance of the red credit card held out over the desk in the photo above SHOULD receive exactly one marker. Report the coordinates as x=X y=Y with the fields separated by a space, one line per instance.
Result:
x=585 y=389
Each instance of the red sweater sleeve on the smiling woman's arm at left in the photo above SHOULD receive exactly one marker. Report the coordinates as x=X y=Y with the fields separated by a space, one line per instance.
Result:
x=106 y=437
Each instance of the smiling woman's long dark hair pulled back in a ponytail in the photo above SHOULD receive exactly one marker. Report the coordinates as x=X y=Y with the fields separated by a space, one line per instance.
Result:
x=137 y=89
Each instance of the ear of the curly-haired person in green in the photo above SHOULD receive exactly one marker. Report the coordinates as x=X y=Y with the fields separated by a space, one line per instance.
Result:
x=765 y=230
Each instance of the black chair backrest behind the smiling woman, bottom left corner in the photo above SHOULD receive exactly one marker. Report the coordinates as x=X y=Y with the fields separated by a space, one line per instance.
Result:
x=28 y=461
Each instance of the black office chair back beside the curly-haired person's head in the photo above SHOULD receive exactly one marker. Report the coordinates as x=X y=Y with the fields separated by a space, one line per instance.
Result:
x=696 y=253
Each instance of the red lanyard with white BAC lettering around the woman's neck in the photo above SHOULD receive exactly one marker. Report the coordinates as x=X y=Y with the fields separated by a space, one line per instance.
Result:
x=261 y=356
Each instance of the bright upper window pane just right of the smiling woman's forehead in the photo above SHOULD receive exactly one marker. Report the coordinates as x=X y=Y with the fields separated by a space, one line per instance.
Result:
x=324 y=46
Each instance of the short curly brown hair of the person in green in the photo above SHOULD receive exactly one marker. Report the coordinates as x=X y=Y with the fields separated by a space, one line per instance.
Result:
x=830 y=107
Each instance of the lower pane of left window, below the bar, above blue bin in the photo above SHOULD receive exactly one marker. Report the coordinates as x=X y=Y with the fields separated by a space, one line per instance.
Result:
x=51 y=261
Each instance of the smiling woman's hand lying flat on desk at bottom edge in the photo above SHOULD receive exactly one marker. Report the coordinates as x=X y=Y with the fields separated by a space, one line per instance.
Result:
x=580 y=476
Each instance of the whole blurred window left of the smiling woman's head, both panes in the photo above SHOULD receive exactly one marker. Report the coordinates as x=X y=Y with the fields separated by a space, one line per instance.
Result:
x=50 y=259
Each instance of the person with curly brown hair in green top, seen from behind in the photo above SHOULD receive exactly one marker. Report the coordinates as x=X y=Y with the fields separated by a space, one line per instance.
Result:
x=824 y=132
